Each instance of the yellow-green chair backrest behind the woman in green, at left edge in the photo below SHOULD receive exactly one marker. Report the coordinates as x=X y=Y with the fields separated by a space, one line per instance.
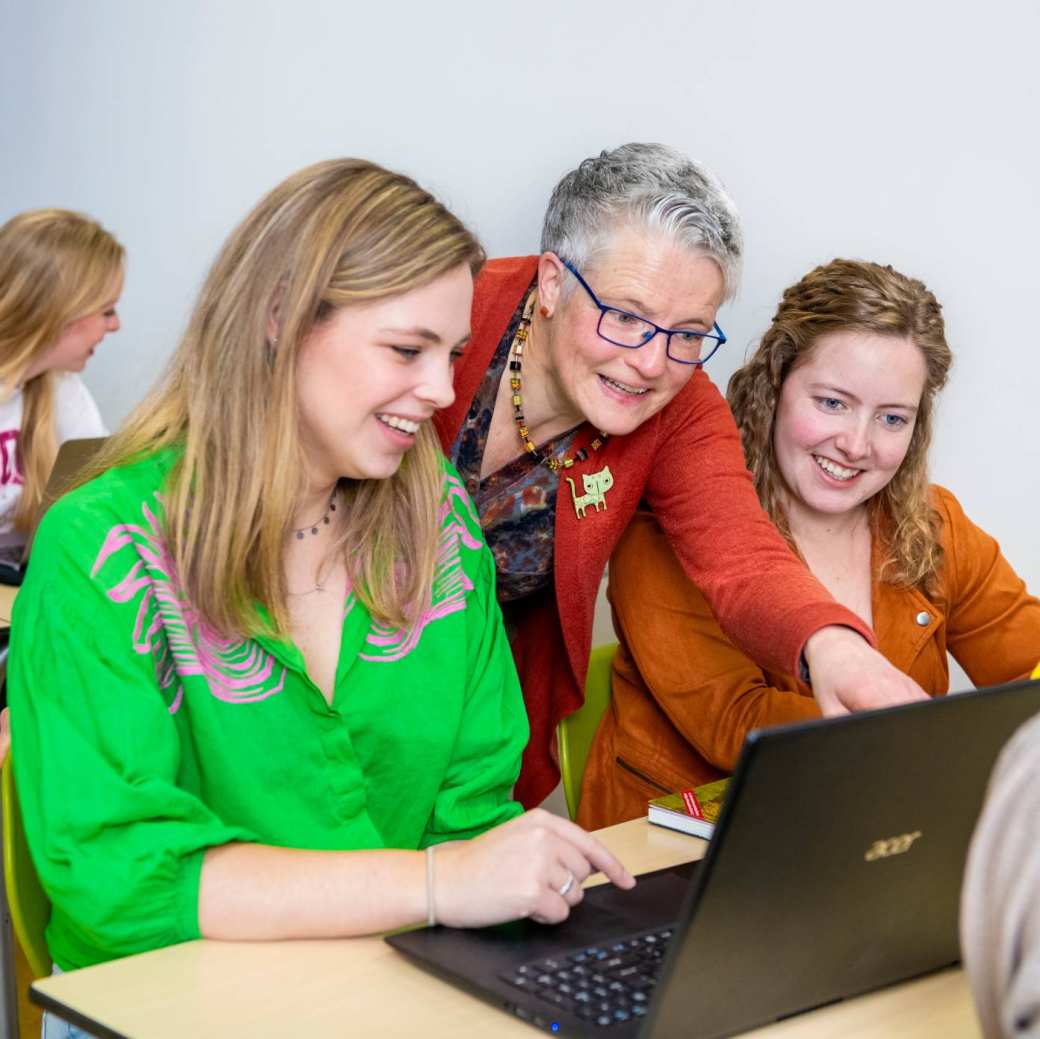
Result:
x=31 y=910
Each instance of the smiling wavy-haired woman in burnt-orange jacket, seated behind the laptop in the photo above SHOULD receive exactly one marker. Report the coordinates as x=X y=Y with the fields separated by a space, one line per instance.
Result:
x=836 y=411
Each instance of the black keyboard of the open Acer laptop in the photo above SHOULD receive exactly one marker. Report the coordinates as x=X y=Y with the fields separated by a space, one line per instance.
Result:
x=606 y=984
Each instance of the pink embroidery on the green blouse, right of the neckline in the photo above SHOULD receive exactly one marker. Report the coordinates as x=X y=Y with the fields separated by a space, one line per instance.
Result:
x=451 y=583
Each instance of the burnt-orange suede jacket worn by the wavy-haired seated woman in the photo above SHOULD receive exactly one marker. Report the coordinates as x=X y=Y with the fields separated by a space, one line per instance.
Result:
x=685 y=696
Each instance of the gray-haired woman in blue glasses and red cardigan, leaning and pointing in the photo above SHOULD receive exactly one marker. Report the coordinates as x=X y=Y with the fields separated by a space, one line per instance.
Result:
x=583 y=395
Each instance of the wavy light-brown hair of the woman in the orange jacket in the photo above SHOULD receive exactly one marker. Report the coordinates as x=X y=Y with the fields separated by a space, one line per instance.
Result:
x=852 y=296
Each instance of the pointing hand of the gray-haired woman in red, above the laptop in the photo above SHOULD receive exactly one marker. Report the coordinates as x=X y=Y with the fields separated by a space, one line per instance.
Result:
x=849 y=676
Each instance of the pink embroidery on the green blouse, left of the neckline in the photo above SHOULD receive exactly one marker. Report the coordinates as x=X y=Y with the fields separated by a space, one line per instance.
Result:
x=170 y=630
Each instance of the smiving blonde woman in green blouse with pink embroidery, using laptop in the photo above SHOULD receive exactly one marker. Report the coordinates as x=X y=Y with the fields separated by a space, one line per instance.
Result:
x=258 y=670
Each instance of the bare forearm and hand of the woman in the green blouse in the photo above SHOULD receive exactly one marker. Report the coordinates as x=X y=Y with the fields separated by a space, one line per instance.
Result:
x=257 y=893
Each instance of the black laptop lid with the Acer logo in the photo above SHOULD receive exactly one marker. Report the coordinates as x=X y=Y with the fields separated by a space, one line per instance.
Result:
x=837 y=865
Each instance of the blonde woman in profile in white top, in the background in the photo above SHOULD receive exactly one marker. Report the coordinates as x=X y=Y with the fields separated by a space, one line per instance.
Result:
x=61 y=280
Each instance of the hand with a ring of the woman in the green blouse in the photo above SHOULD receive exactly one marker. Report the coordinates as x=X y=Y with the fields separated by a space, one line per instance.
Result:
x=533 y=866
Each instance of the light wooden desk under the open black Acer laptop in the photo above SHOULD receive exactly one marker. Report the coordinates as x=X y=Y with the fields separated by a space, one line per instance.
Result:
x=361 y=986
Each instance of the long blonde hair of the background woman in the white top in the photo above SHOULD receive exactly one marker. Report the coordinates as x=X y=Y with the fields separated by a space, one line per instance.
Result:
x=56 y=268
